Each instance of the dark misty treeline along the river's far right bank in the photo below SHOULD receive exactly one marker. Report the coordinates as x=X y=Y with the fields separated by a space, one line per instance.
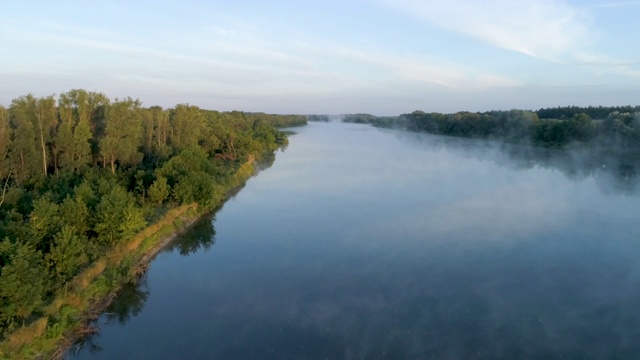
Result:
x=610 y=127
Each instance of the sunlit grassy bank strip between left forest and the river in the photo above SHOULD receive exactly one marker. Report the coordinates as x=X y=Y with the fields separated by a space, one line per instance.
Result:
x=71 y=313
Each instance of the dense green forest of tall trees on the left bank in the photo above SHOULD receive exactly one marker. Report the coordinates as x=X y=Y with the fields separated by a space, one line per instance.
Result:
x=80 y=174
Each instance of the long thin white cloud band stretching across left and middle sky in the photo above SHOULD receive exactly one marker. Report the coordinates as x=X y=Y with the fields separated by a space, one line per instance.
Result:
x=237 y=57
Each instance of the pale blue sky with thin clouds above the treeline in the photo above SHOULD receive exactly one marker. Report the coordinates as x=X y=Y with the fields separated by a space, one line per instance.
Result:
x=383 y=57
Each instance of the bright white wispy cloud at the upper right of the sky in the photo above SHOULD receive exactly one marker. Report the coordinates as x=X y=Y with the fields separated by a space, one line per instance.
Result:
x=543 y=29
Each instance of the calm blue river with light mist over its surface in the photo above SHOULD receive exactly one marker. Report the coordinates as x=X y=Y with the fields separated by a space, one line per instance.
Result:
x=360 y=243
